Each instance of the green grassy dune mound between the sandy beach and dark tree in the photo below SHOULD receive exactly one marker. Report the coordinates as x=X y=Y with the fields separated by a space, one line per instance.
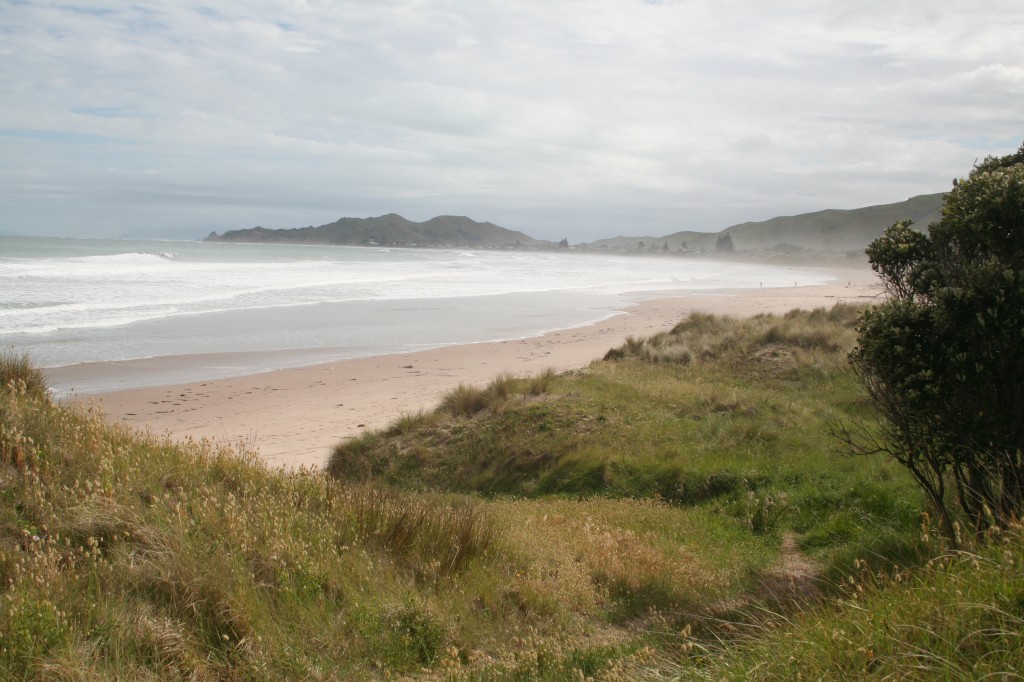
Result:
x=728 y=417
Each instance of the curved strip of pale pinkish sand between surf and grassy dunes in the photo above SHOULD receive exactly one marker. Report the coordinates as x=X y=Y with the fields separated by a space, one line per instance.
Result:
x=294 y=417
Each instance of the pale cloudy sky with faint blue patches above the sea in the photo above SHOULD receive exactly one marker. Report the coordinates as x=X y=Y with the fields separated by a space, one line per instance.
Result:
x=581 y=119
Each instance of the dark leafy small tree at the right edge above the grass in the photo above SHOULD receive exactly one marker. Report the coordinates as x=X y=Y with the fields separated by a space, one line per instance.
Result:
x=944 y=358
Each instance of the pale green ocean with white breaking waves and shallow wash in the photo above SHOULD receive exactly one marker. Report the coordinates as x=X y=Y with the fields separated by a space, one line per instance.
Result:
x=242 y=309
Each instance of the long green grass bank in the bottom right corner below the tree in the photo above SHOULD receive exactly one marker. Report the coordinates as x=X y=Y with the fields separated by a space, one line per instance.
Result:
x=959 y=618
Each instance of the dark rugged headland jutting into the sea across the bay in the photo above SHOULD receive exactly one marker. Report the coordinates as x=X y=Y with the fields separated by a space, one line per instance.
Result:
x=392 y=230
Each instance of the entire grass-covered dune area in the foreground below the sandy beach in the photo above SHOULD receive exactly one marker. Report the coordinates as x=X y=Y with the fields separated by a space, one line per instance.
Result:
x=631 y=519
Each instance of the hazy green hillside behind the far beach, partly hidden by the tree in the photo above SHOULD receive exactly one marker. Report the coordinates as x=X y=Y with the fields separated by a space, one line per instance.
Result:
x=832 y=230
